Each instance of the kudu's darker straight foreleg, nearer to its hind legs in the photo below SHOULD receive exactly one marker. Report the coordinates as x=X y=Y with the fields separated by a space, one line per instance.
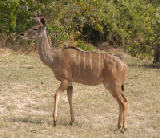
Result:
x=70 y=93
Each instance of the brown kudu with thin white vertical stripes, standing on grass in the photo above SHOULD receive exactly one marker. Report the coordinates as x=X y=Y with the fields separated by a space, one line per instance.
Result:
x=75 y=65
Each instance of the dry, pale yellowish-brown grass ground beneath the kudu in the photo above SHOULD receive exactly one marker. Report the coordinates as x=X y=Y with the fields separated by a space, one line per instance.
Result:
x=26 y=102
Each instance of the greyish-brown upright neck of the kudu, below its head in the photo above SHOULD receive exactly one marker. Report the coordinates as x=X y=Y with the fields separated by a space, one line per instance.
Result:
x=45 y=51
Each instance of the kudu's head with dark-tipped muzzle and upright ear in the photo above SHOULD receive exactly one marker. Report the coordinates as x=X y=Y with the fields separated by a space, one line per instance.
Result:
x=36 y=31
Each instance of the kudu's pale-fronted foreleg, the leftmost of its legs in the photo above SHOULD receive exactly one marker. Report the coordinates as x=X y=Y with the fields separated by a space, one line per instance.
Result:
x=63 y=86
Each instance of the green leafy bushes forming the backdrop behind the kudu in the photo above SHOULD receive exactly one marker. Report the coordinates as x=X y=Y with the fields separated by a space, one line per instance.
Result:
x=132 y=24
